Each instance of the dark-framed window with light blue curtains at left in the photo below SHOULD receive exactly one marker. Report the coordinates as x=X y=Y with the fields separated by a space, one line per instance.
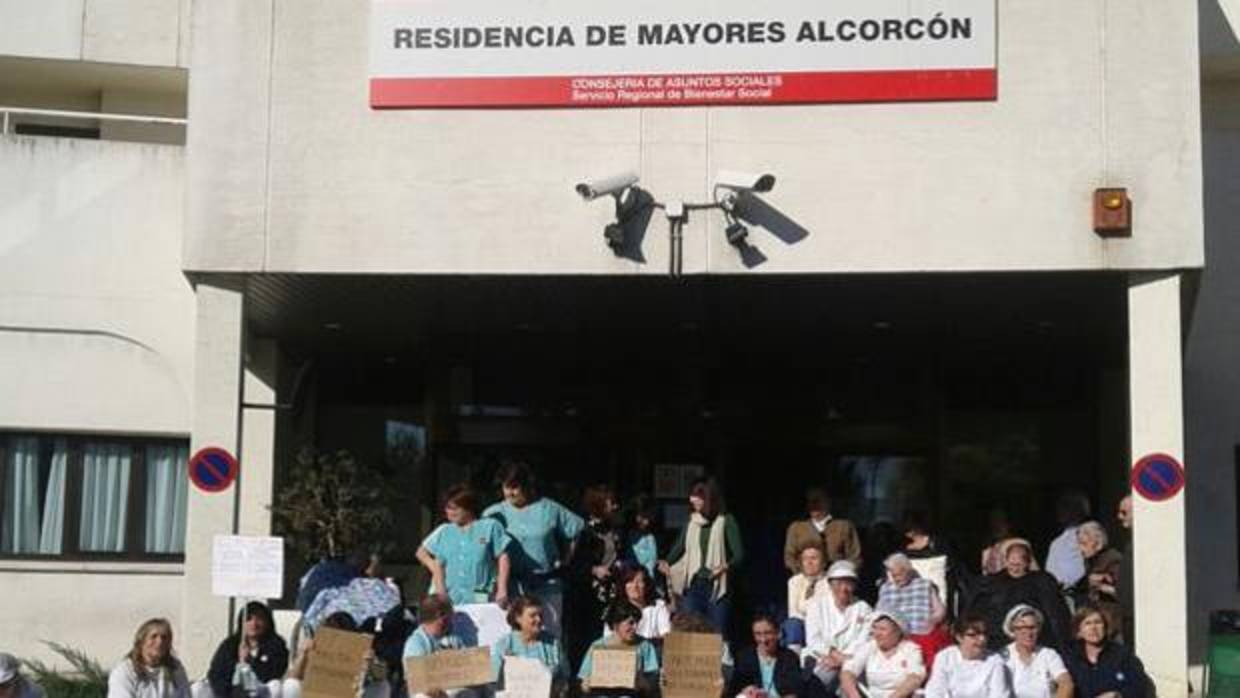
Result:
x=92 y=498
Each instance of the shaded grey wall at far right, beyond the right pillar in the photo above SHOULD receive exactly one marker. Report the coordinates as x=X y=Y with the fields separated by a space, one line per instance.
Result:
x=1212 y=374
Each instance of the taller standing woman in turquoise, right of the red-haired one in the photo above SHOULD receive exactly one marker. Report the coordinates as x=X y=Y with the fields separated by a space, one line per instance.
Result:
x=544 y=536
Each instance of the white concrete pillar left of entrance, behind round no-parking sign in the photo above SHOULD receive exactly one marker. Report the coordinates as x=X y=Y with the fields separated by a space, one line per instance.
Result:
x=218 y=390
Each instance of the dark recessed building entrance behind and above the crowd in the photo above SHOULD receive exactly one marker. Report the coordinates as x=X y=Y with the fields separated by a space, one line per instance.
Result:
x=952 y=396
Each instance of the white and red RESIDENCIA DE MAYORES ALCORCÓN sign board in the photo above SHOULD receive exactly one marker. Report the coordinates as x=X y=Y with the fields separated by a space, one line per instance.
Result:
x=653 y=53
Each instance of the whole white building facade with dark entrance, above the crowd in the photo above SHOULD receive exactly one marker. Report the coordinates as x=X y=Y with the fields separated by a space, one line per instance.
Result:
x=268 y=262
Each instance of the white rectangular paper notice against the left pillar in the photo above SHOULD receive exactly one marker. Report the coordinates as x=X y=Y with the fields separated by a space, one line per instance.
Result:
x=250 y=567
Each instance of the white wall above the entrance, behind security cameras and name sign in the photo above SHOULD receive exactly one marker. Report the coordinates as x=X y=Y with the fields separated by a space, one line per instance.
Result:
x=292 y=172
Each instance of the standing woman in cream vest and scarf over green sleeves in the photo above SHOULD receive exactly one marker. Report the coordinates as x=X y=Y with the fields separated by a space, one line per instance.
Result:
x=704 y=556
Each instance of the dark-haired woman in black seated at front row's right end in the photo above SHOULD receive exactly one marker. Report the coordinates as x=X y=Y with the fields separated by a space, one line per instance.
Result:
x=1102 y=668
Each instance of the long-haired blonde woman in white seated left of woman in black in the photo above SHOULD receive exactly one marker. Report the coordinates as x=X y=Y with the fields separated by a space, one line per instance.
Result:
x=151 y=670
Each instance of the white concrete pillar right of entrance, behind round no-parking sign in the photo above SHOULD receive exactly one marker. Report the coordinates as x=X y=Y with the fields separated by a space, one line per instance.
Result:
x=1159 y=531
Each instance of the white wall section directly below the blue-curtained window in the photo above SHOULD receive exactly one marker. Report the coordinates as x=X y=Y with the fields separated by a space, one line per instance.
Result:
x=91 y=607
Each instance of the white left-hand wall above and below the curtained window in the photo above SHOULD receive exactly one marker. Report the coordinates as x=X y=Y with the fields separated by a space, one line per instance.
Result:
x=96 y=335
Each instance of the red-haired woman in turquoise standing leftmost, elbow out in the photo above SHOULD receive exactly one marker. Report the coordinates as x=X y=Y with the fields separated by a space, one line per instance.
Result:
x=467 y=556
